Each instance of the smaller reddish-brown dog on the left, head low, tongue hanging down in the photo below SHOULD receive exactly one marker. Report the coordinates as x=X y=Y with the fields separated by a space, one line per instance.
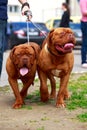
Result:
x=22 y=64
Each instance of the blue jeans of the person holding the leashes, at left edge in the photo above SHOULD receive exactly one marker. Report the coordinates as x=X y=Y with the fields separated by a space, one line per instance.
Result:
x=3 y=27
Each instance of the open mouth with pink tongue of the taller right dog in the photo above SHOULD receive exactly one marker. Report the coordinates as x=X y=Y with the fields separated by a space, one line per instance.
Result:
x=65 y=48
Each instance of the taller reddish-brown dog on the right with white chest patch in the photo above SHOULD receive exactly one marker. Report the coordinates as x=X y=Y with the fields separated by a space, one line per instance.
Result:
x=56 y=59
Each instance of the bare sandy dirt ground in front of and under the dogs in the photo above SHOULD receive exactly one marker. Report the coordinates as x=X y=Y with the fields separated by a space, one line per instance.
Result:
x=36 y=116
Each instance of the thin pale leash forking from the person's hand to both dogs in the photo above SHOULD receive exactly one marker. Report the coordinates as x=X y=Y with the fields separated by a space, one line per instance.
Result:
x=29 y=13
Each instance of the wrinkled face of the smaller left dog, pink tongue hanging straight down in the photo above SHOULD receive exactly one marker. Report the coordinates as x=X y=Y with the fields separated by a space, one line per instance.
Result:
x=23 y=57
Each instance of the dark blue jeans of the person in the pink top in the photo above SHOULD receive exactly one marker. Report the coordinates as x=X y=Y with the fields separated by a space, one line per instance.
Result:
x=84 y=42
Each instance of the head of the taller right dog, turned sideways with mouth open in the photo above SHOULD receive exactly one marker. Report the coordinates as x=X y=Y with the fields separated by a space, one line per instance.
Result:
x=61 y=40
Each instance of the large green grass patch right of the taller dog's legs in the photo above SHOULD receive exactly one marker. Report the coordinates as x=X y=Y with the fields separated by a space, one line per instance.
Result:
x=78 y=89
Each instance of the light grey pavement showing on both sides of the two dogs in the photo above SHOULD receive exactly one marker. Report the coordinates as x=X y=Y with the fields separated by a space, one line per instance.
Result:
x=77 y=67
